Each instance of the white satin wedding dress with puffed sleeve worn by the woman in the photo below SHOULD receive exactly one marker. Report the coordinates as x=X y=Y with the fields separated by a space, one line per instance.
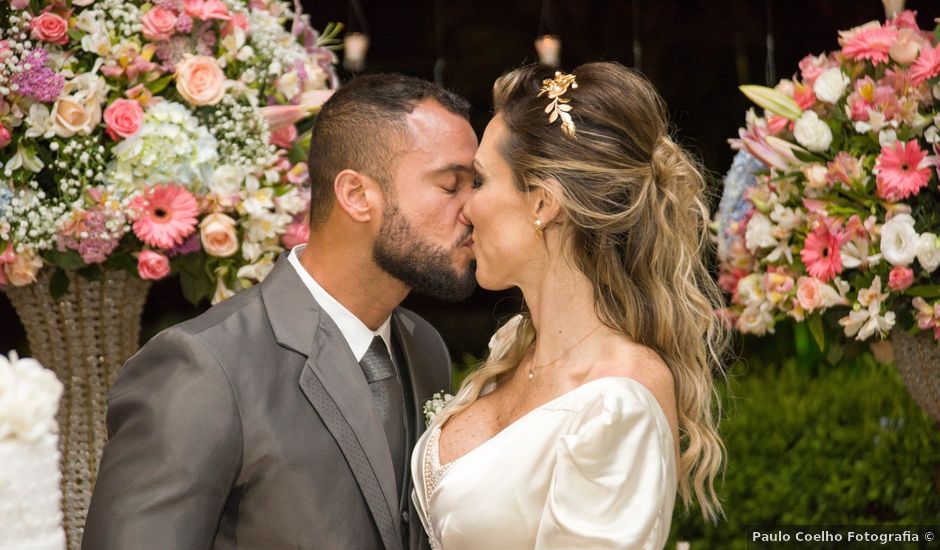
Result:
x=593 y=468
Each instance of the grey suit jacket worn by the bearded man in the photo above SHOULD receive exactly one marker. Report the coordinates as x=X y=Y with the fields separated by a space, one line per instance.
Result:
x=252 y=426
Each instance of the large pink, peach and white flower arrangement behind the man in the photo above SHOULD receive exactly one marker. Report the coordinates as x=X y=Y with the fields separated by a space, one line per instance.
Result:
x=168 y=132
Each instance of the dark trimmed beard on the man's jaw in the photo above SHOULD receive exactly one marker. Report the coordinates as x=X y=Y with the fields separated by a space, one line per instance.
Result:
x=425 y=267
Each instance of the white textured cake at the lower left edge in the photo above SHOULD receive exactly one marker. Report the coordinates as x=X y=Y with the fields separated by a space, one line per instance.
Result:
x=30 y=507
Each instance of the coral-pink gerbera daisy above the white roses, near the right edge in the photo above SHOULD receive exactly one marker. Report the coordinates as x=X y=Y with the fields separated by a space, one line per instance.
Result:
x=903 y=169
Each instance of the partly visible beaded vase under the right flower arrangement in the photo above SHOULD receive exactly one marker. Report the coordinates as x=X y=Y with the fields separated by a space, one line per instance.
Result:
x=918 y=359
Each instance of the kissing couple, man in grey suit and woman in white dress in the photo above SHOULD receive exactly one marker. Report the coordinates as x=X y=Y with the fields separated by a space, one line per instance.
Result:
x=290 y=415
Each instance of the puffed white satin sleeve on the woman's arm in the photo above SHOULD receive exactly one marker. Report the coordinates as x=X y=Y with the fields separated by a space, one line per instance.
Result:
x=614 y=483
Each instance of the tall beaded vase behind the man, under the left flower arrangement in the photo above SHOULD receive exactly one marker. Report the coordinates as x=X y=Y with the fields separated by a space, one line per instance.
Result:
x=84 y=337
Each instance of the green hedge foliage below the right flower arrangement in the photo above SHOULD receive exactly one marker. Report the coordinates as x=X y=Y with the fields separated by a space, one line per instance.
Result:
x=846 y=445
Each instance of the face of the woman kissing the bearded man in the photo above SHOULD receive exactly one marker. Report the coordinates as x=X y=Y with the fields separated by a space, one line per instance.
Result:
x=505 y=243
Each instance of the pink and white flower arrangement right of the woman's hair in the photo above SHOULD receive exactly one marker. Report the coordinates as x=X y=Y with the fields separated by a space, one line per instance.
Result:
x=829 y=211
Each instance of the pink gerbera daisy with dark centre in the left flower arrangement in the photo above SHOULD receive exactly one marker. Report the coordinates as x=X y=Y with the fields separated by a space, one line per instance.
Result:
x=167 y=215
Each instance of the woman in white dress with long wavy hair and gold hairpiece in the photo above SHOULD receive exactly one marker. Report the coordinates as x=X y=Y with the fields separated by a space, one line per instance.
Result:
x=595 y=406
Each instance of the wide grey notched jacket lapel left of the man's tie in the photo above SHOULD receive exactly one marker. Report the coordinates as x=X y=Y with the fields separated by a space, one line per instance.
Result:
x=333 y=383
